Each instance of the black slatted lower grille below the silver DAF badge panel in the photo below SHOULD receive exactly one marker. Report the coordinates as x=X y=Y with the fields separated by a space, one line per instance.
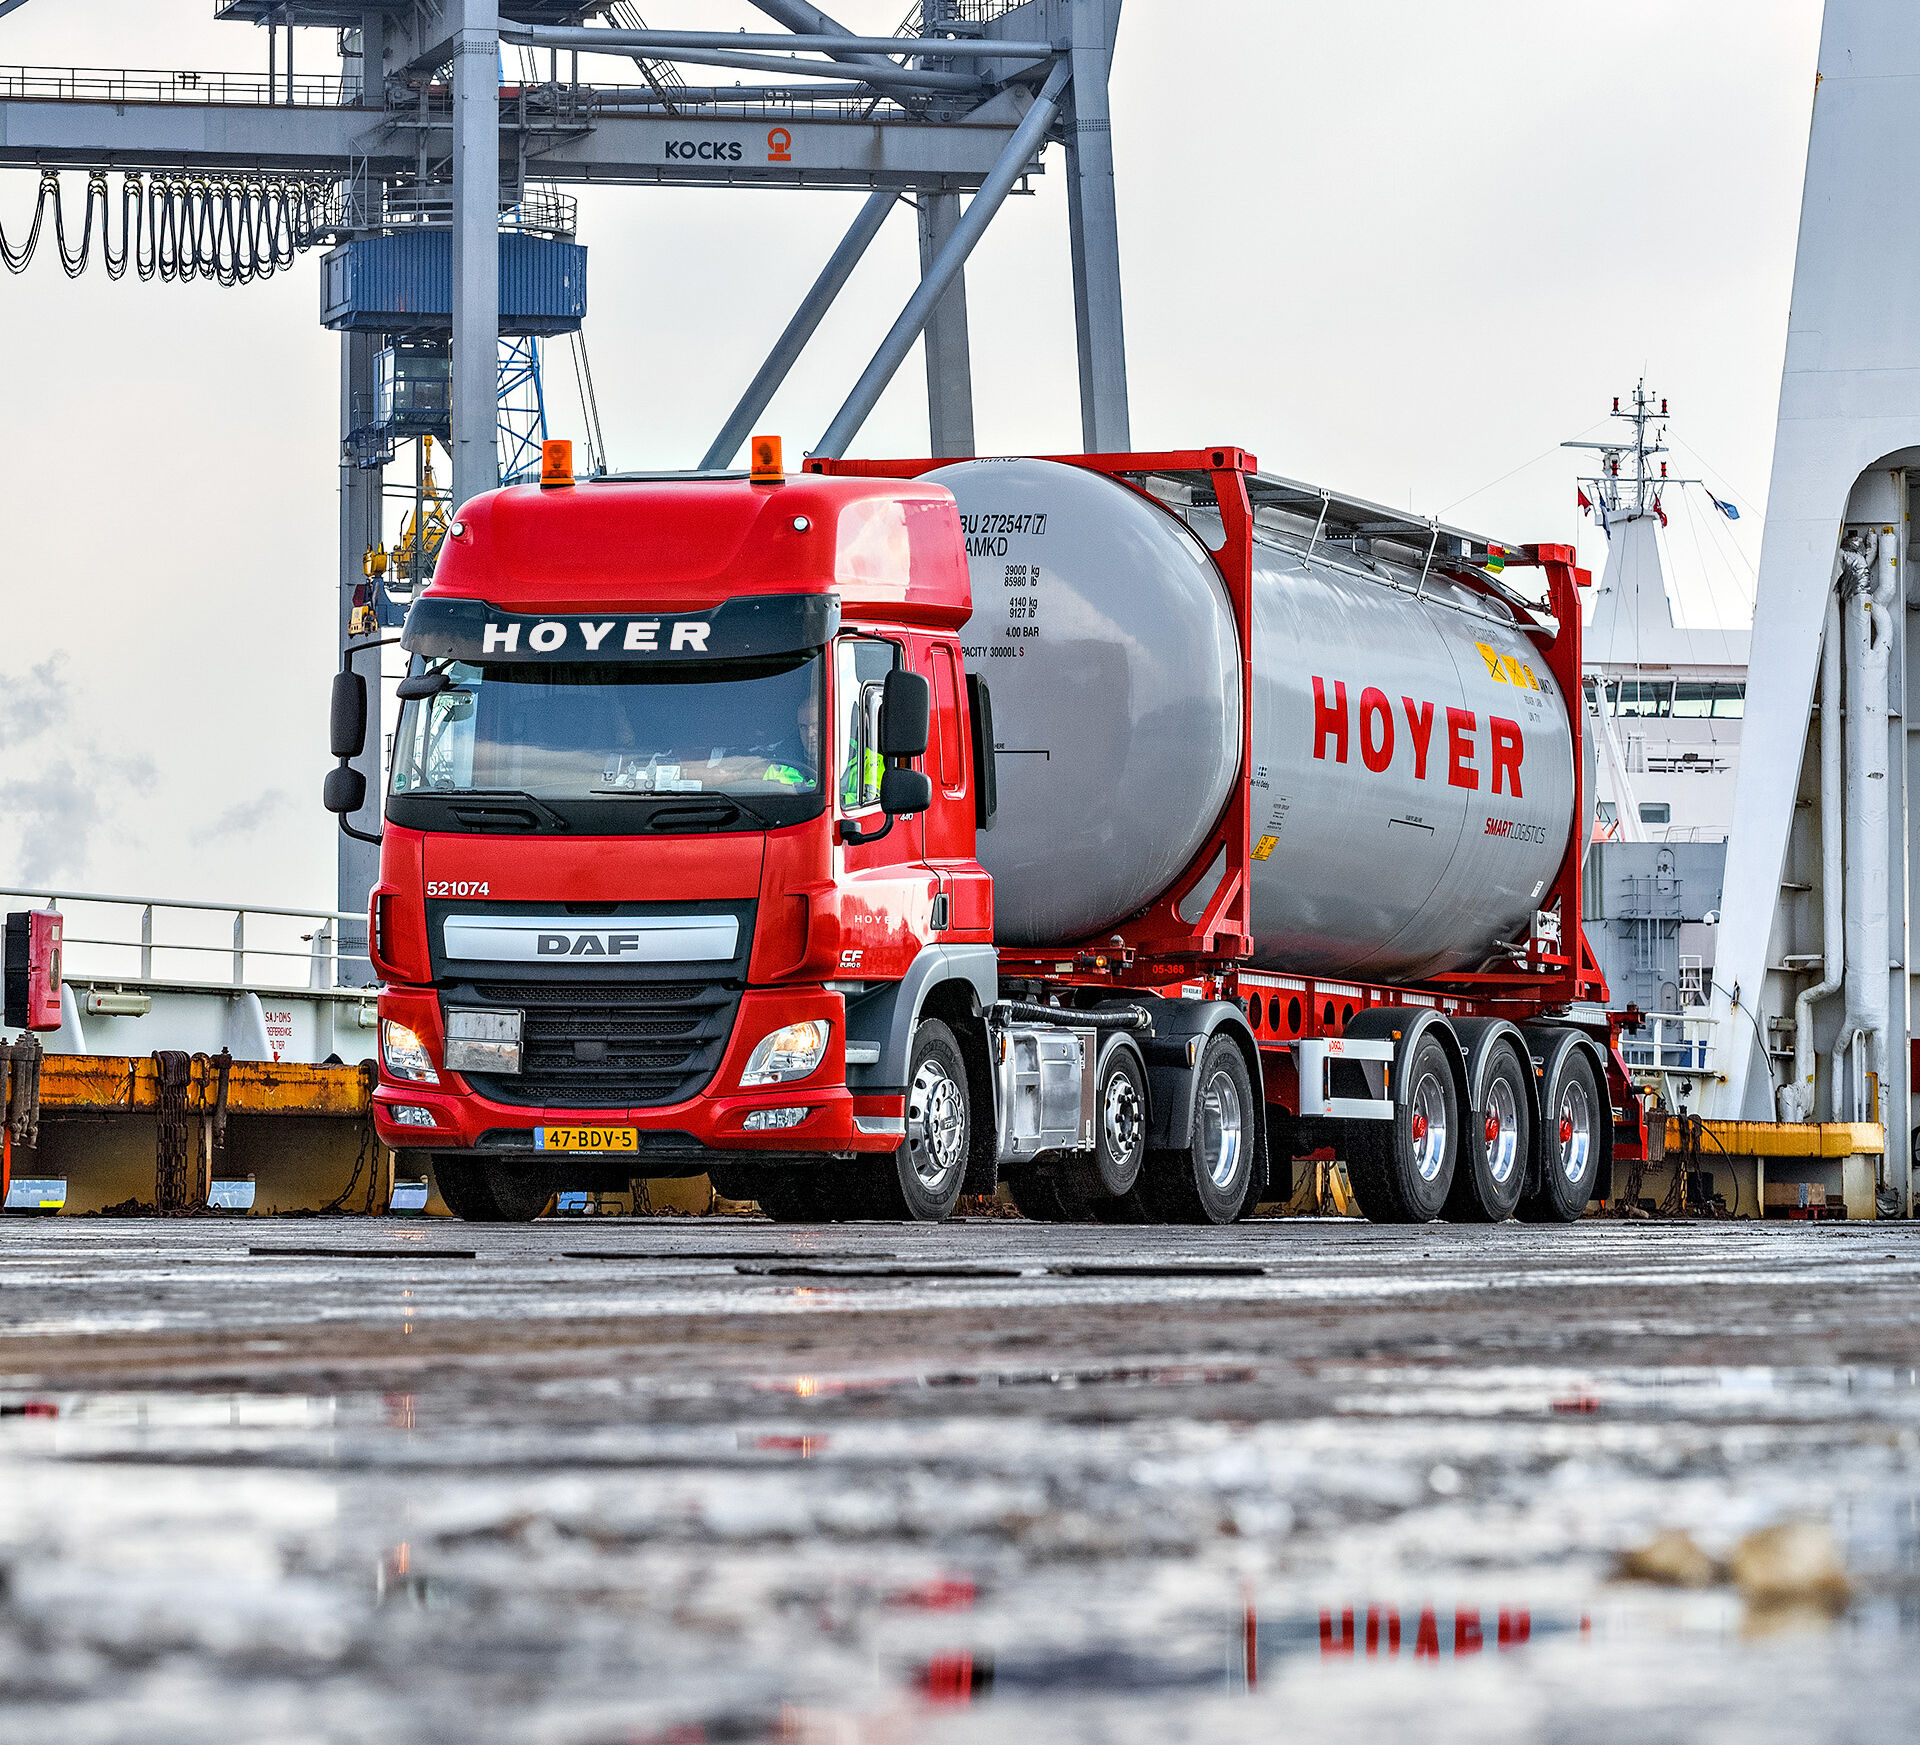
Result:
x=663 y=1041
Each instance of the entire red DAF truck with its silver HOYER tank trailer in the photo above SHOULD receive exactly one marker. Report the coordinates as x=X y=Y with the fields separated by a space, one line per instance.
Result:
x=1122 y=828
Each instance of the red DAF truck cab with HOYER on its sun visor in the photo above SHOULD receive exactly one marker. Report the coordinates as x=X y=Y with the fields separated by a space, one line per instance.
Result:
x=679 y=861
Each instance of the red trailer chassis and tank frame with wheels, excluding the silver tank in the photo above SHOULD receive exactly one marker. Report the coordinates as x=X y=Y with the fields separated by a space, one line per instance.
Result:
x=1518 y=1061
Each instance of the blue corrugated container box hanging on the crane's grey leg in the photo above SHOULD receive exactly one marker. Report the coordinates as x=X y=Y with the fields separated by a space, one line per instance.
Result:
x=404 y=285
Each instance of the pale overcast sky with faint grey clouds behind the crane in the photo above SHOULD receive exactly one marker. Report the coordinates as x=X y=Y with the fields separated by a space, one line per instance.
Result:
x=1393 y=247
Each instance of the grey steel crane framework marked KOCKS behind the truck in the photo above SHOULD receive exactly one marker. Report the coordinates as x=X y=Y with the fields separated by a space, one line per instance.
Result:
x=961 y=107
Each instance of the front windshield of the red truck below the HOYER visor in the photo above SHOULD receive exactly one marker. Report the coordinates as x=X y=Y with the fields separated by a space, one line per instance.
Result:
x=615 y=732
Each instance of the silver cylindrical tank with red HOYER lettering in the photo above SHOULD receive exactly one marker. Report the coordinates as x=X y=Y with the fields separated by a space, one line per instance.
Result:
x=1381 y=846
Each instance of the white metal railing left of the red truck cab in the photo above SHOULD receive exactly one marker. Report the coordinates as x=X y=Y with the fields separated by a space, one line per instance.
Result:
x=135 y=951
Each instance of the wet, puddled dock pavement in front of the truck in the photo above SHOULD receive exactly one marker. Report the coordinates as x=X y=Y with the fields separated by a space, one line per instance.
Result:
x=602 y=1483
